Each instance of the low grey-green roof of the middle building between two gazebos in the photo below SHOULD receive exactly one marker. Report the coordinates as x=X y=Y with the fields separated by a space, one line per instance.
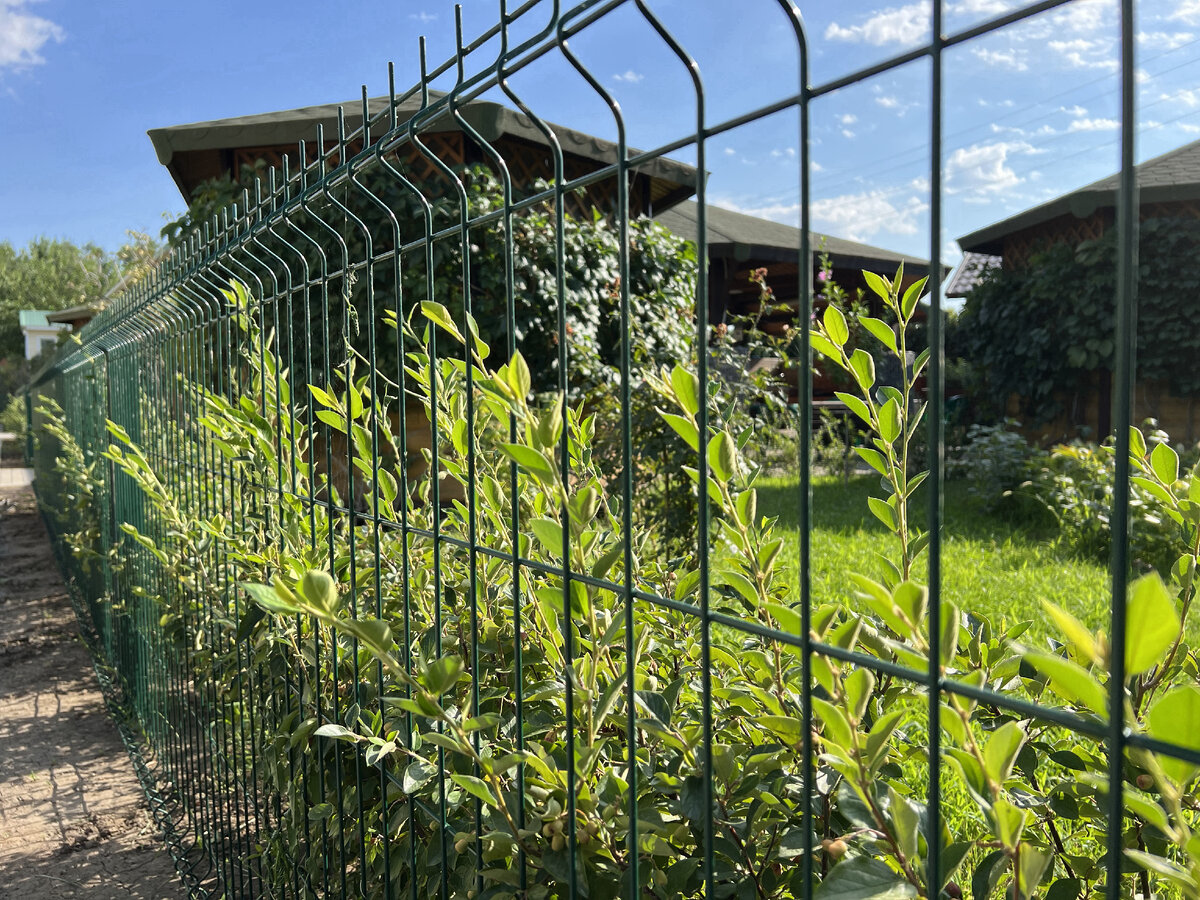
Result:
x=741 y=237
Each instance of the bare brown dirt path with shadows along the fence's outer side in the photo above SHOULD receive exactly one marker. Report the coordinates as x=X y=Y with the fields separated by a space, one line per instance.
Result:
x=74 y=821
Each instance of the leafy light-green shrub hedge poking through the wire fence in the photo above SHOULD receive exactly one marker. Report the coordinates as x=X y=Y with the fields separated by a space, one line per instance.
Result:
x=413 y=647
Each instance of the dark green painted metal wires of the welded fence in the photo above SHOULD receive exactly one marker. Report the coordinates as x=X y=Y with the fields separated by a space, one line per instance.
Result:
x=298 y=247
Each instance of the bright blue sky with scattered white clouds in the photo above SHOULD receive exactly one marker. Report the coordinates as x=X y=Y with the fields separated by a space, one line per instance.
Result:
x=1029 y=113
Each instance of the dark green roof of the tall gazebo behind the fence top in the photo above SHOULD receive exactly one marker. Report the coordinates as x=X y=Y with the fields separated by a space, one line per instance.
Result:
x=493 y=121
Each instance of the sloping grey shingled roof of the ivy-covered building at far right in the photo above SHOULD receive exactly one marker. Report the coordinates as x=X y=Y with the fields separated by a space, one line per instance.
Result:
x=1175 y=176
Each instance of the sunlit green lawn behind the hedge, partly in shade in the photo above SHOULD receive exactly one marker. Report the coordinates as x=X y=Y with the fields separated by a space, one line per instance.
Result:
x=992 y=565
